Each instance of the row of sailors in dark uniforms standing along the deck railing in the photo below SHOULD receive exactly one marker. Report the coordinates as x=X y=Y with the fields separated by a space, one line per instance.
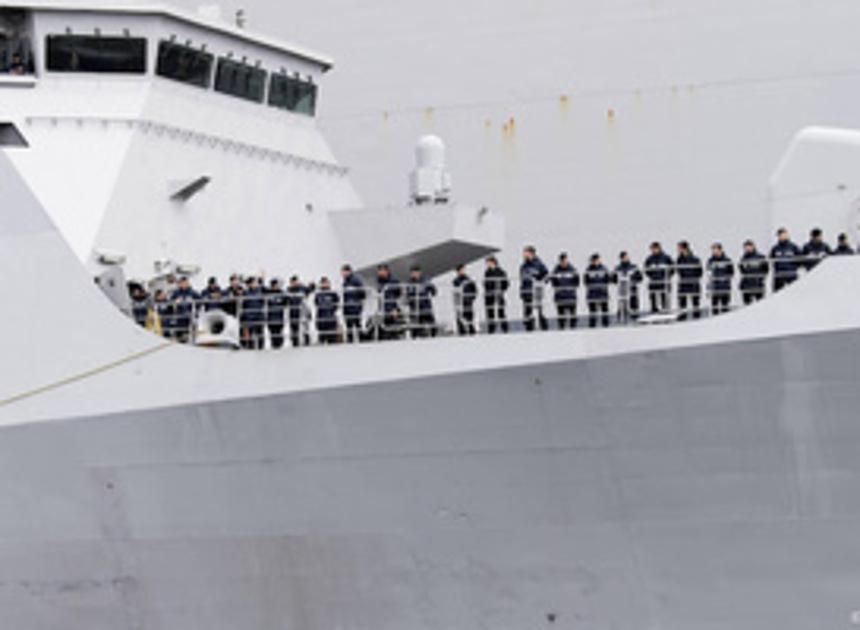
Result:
x=285 y=310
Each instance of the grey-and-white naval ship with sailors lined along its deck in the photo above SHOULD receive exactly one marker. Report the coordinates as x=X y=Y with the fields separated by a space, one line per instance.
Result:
x=695 y=475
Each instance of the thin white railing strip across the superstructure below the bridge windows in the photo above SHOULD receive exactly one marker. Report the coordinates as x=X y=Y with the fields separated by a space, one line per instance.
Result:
x=188 y=135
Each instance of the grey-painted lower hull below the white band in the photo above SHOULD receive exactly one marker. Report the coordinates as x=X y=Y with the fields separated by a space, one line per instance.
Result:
x=715 y=487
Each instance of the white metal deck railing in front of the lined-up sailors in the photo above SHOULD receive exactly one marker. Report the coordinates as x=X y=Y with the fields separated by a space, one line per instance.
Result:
x=403 y=310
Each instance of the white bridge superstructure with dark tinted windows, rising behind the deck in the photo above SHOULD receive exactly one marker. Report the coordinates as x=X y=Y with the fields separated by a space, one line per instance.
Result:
x=162 y=169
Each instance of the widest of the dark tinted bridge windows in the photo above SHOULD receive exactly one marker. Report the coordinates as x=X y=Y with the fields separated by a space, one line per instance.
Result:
x=88 y=53
